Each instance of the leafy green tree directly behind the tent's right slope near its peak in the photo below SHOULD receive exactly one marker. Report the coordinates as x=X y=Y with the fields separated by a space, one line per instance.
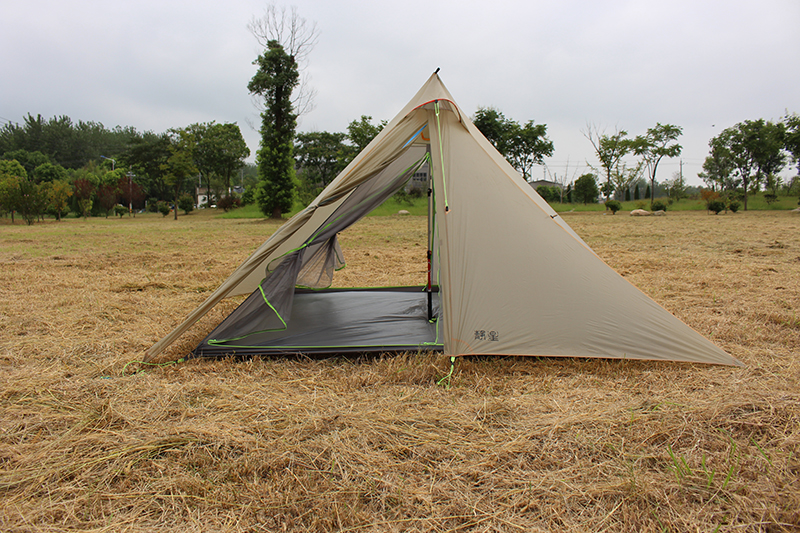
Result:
x=523 y=146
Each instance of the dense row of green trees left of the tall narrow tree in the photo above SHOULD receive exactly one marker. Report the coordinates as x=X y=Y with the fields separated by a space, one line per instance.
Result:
x=147 y=167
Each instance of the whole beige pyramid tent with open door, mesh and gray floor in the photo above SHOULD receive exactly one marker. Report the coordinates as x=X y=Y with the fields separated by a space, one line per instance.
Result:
x=490 y=234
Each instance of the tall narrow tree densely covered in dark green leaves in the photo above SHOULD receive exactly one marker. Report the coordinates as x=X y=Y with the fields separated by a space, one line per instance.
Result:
x=275 y=80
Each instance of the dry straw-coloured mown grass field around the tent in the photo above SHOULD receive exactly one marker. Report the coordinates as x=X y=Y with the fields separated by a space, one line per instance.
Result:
x=90 y=443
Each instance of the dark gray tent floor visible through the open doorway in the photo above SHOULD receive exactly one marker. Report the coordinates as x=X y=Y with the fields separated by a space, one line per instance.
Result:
x=391 y=319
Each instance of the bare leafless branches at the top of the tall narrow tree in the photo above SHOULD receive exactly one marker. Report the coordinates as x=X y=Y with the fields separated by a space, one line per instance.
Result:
x=298 y=37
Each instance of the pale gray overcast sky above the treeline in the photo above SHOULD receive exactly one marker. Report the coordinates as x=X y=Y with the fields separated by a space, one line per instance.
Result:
x=153 y=65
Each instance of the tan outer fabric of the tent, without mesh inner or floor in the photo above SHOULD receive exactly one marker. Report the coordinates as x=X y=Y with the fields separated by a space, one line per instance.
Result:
x=513 y=277
